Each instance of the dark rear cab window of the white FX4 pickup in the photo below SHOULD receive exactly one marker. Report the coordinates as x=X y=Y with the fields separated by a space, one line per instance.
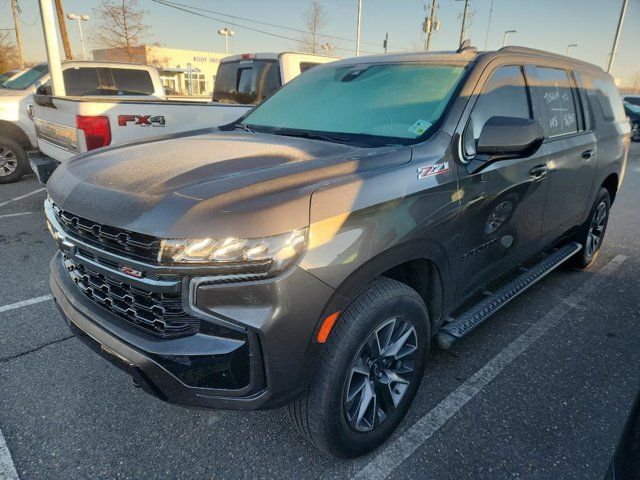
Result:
x=246 y=81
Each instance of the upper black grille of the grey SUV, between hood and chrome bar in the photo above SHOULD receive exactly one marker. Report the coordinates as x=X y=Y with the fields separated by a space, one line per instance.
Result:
x=132 y=244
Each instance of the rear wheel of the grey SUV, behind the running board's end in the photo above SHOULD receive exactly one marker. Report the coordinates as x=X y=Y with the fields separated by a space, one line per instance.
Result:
x=591 y=233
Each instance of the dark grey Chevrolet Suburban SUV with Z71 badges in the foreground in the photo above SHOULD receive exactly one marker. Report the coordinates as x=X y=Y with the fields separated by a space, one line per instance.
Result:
x=307 y=254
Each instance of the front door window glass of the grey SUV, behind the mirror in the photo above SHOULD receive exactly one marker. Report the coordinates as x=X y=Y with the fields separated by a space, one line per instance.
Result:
x=503 y=95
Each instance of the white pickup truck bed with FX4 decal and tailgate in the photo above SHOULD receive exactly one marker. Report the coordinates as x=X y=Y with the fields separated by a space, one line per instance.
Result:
x=57 y=120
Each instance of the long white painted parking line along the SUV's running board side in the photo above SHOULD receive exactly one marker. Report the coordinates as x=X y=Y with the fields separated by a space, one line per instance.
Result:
x=406 y=444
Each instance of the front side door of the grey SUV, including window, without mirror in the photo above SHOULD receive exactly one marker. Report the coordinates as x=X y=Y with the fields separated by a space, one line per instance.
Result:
x=502 y=205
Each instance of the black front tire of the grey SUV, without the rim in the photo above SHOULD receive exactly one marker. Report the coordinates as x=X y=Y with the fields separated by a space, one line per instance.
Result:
x=349 y=442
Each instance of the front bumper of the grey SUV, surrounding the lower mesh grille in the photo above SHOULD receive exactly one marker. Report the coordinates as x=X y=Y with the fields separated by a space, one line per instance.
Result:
x=254 y=347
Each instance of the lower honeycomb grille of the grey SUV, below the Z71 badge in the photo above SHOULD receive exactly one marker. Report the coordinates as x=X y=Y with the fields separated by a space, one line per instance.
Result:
x=160 y=314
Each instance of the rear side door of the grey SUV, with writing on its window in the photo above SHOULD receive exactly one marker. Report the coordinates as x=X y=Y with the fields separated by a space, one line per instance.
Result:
x=570 y=146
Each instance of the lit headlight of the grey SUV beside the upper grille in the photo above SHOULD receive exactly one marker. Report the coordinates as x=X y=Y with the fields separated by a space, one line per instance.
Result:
x=266 y=255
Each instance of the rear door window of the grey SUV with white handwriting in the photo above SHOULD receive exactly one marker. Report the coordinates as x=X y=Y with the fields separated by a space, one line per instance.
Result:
x=554 y=95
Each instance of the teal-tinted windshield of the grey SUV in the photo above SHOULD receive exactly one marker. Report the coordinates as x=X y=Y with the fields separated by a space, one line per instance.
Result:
x=395 y=103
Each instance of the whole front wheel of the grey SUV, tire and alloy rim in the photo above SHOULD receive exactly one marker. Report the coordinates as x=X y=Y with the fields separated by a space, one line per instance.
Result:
x=369 y=371
